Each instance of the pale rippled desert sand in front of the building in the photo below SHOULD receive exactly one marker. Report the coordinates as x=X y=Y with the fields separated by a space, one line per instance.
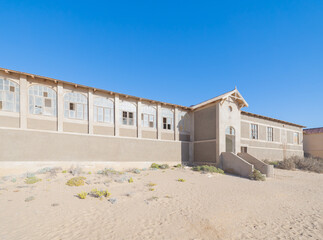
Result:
x=158 y=206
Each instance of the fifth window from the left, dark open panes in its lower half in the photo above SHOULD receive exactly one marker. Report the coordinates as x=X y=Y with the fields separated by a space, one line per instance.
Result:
x=128 y=112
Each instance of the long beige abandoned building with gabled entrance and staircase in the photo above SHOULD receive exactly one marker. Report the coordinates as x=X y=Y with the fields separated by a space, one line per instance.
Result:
x=48 y=120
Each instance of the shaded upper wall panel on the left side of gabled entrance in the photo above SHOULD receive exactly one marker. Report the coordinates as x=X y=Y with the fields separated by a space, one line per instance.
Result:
x=205 y=123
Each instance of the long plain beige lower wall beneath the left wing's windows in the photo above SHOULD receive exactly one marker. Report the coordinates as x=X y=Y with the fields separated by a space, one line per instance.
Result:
x=52 y=146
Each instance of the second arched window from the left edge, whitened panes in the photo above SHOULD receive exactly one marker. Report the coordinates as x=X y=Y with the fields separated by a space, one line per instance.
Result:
x=42 y=100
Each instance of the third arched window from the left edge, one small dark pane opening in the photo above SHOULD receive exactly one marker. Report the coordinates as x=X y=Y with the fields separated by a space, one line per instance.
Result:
x=75 y=106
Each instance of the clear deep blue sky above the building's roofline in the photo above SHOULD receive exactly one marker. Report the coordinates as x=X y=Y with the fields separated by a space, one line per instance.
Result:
x=181 y=52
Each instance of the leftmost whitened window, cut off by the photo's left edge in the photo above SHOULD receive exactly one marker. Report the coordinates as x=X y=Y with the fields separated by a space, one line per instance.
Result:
x=9 y=95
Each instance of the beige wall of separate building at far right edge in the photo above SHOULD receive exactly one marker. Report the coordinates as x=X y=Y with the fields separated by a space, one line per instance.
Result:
x=313 y=144
